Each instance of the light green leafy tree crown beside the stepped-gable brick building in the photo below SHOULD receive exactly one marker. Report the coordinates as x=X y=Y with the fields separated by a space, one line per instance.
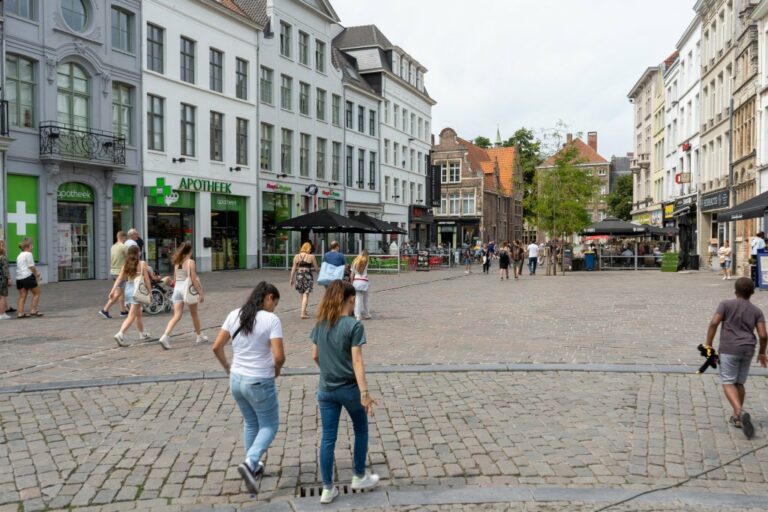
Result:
x=564 y=194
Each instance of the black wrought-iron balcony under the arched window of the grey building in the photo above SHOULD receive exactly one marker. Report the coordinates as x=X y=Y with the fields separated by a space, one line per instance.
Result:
x=63 y=142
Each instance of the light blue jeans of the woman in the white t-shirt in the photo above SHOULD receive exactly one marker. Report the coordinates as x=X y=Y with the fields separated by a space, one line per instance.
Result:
x=257 y=400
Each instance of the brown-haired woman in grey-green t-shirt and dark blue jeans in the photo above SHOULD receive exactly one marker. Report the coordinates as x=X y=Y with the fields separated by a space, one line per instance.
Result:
x=337 y=350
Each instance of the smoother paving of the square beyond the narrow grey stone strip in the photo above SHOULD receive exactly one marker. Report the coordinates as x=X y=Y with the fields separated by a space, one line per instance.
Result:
x=430 y=317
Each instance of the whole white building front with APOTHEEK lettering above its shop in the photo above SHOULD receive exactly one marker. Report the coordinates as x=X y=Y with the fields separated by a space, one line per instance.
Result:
x=200 y=158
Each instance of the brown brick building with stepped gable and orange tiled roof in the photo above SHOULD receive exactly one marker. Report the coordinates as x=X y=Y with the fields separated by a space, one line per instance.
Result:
x=482 y=191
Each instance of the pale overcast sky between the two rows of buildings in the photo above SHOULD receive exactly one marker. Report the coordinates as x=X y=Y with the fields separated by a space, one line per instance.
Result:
x=530 y=62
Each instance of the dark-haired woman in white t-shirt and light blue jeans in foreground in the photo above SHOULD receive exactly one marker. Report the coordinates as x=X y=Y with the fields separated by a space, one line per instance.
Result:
x=257 y=357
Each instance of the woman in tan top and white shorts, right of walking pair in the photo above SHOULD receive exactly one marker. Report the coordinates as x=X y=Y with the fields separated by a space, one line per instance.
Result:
x=184 y=274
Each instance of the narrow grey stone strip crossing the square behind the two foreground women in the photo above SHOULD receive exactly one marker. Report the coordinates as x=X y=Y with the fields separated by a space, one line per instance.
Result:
x=427 y=368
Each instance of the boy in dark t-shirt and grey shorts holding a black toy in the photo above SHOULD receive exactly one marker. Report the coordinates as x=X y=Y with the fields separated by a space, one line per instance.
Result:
x=738 y=319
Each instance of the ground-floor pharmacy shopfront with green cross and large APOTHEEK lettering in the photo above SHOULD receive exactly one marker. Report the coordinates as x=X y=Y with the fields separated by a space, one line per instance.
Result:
x=212 y=215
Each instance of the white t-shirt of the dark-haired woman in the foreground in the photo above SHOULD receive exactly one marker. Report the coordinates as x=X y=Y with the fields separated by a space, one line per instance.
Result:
x=252 y=354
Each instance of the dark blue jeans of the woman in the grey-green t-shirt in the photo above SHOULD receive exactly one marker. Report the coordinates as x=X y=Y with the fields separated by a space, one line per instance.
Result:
x=330 y=403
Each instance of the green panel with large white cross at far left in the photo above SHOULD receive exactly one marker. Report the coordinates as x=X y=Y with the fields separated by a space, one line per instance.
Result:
x=22 y=213
